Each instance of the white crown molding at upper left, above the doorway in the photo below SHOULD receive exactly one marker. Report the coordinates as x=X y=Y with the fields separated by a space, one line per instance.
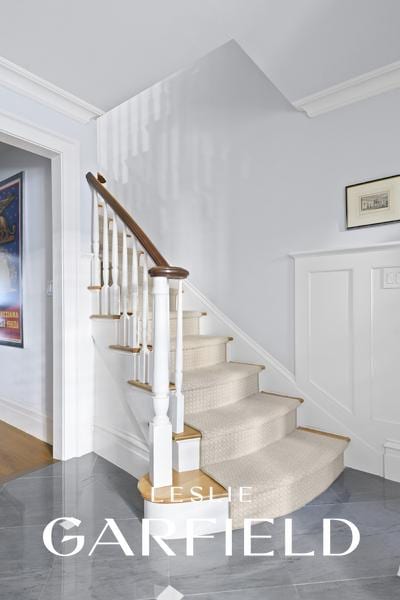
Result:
x=24 y=82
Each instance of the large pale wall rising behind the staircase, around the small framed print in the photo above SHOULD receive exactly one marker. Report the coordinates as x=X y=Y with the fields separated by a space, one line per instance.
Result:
x=229 y=179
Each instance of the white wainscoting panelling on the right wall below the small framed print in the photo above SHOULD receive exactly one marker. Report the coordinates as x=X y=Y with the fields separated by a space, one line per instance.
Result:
x=348 y=345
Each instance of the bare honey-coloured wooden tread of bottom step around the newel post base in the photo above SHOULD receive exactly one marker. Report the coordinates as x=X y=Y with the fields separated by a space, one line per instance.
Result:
x=204 y=485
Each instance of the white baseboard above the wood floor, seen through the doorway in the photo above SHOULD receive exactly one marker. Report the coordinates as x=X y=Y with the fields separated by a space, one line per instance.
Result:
x=33 y=422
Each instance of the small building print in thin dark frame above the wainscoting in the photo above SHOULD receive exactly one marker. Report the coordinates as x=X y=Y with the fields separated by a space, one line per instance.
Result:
x=373 y=202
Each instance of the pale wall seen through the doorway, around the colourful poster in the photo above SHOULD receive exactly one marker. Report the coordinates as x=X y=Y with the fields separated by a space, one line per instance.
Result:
x=26 y=373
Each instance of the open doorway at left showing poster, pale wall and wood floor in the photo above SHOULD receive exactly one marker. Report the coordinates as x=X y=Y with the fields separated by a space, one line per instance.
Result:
x=26 y=337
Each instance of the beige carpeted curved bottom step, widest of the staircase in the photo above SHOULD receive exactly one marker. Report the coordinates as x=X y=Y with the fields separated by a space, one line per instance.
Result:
x=282 y=477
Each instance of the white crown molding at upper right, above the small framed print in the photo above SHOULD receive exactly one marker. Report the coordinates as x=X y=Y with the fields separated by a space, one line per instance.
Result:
x=353 y=90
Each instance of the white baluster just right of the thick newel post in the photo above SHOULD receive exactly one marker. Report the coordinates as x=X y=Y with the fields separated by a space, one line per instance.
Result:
x=177 y=401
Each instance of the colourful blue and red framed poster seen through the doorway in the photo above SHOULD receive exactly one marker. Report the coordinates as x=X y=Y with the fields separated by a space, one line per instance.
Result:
x=11 y=197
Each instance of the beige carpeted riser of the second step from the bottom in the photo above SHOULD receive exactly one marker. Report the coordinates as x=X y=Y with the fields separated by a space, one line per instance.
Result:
x=234 y=444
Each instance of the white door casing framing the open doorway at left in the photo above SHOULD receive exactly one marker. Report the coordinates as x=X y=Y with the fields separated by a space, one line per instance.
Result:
x=64 y=154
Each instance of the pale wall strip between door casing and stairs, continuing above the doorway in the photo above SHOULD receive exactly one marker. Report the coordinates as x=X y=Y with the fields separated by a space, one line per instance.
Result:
x=33 y=112
